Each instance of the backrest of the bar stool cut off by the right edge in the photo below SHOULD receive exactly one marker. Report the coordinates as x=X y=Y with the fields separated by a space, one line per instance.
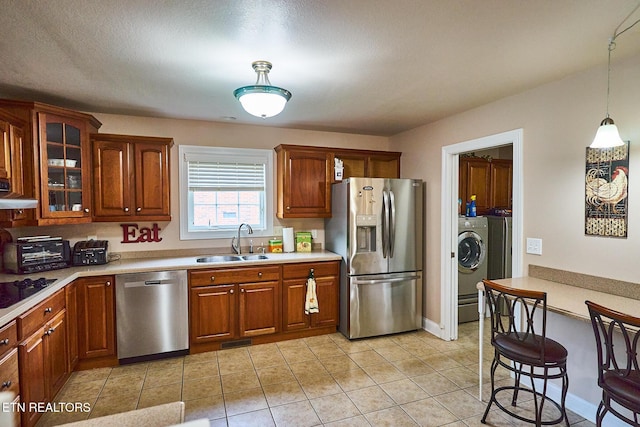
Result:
x=613 y=360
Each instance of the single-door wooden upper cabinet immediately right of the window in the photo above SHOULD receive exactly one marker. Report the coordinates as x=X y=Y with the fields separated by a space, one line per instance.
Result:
x=304 y=182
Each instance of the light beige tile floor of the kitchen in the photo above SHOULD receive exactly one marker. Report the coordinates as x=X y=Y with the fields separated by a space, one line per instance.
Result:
x=401 y=380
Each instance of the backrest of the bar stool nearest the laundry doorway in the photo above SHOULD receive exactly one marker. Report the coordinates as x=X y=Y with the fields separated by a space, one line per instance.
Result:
x=504 y=302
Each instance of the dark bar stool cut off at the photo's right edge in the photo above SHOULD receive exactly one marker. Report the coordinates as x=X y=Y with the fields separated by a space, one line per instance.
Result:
x=617 y=336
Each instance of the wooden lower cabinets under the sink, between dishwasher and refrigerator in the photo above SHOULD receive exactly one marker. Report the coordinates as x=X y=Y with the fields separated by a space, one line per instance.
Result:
x=260 y=304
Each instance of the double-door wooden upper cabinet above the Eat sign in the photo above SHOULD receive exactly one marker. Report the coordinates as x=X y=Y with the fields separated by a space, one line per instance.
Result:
x=131 y=177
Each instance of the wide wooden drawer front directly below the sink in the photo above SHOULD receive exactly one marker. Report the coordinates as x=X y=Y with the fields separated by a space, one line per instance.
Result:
x=223 y=276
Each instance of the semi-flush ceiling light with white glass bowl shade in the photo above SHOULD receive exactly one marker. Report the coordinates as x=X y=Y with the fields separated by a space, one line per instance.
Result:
x=262 y=99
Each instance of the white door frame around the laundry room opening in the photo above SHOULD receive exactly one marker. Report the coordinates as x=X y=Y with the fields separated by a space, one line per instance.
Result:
x=449 y=220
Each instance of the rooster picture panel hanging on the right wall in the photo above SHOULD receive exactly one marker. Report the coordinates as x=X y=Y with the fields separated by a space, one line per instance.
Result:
x=606 y=191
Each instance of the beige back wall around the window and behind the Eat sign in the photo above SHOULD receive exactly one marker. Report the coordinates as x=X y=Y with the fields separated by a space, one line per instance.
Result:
x=191 y=132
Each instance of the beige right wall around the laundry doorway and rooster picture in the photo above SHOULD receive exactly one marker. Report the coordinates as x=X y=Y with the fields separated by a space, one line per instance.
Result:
x=559 y=120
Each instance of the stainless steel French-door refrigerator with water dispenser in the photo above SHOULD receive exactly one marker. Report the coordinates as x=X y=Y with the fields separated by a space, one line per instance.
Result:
x=377 y=228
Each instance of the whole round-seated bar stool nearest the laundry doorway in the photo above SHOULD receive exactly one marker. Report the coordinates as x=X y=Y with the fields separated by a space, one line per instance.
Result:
x=525 y=351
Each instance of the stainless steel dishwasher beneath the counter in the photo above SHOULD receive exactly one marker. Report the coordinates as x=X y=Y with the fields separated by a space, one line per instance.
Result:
x=152 y=315
